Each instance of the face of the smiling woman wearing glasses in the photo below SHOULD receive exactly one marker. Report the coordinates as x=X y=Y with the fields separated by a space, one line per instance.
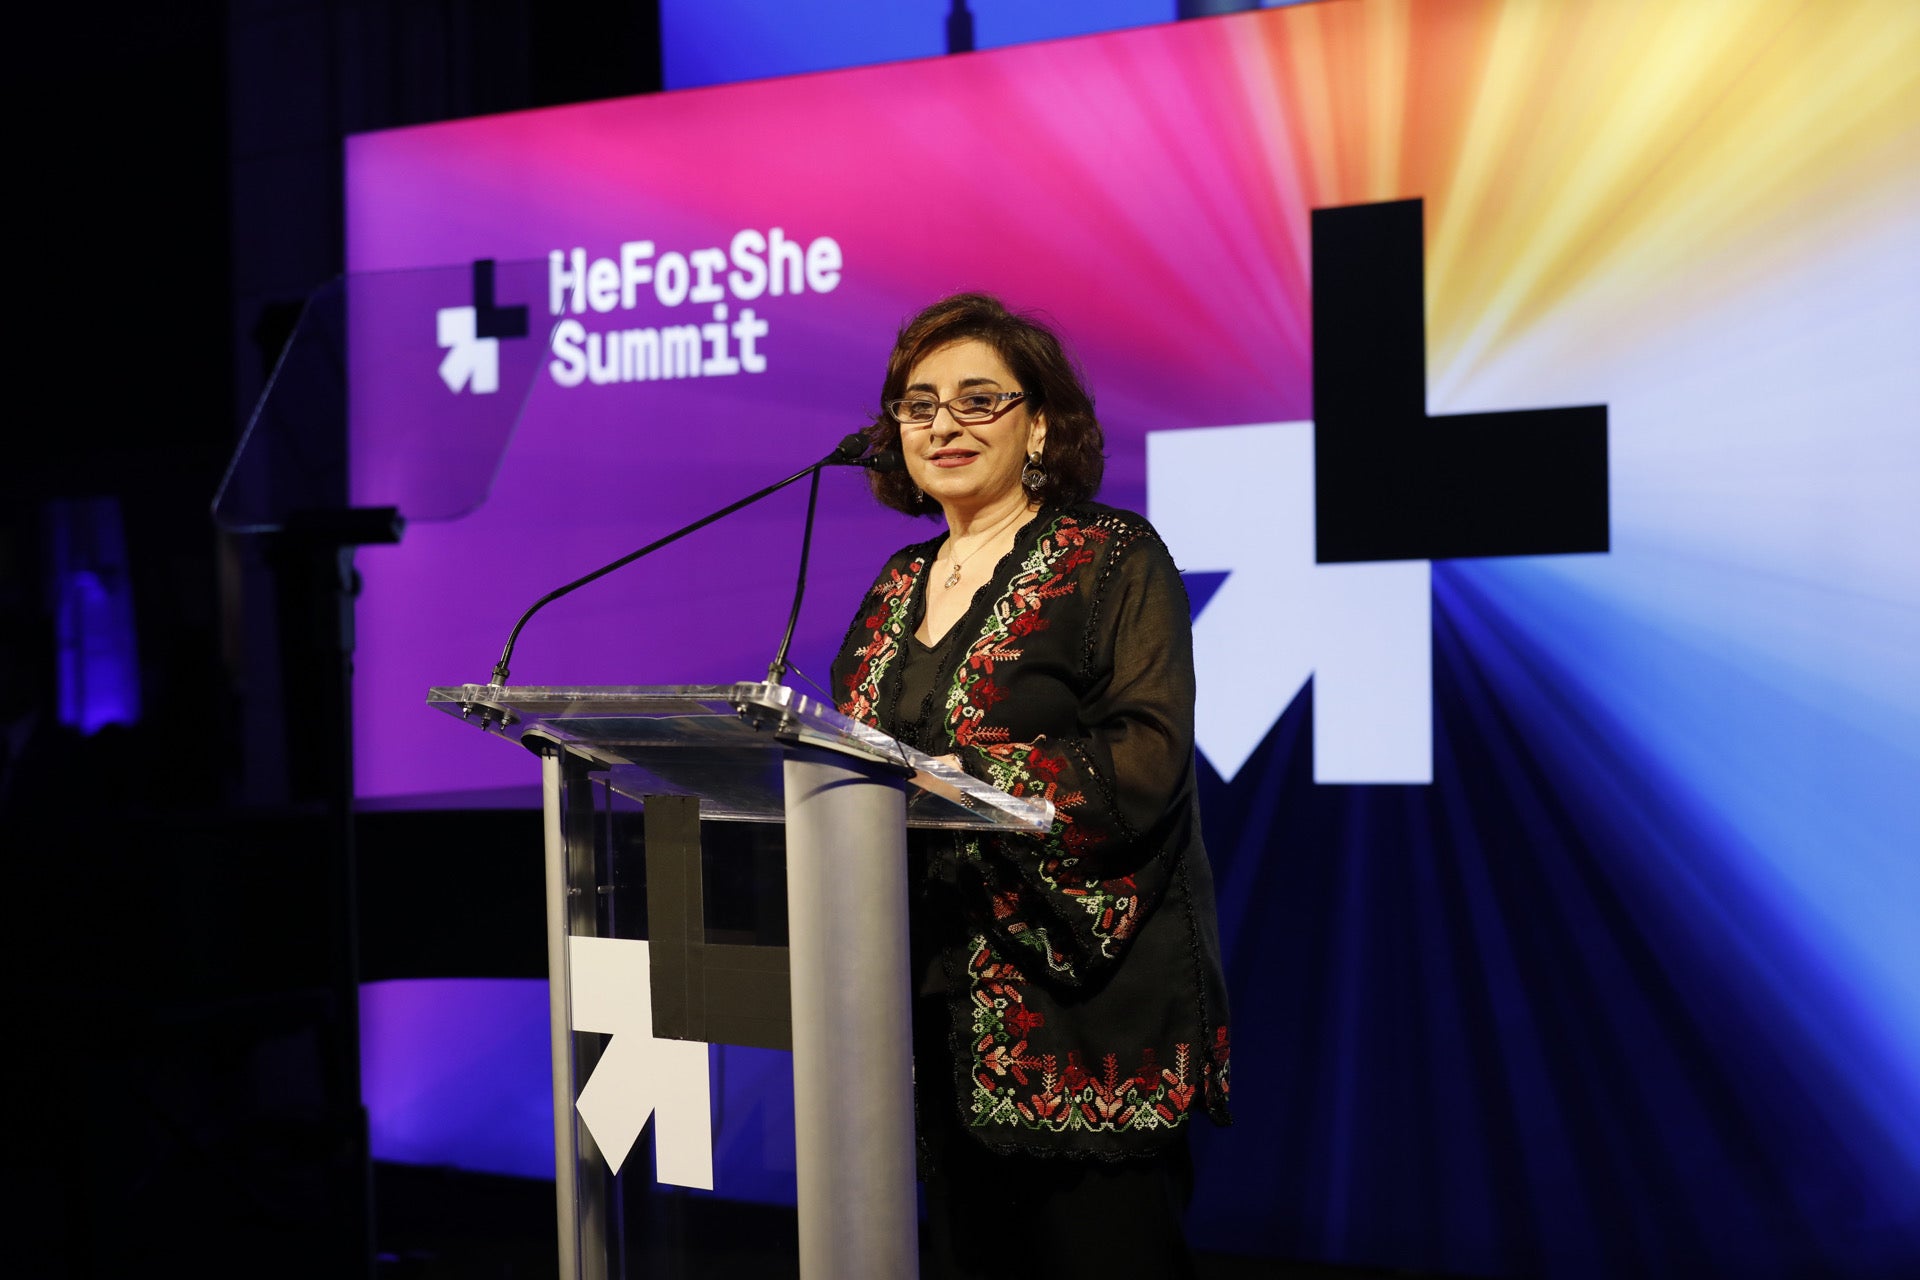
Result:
x=969 y=467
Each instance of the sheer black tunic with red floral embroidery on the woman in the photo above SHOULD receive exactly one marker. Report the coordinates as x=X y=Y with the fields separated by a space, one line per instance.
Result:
x=1080 y=970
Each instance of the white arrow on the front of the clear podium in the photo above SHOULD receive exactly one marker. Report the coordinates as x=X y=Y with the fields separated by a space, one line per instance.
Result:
x=638 y=1078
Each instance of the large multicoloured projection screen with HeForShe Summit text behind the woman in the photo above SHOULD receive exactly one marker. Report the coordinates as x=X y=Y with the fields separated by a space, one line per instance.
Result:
x=1583 y=876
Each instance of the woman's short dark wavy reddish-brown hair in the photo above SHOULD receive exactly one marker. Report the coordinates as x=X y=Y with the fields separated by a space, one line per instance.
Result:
x=1051 y=379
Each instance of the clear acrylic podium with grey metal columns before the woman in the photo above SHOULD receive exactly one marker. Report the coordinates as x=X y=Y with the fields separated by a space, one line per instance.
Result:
x=846 y=795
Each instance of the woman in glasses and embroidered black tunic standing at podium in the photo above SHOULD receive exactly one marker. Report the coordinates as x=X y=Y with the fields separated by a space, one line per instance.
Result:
x=1070 y=1018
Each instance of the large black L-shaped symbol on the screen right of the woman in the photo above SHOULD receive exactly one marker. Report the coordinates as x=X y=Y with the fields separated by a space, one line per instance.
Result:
x=1397 y=485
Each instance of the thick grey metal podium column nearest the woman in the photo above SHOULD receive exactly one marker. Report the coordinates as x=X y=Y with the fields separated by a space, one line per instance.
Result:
x=853 y=1108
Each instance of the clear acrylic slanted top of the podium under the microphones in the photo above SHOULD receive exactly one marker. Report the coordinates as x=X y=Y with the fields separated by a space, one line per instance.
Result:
x=725 y=744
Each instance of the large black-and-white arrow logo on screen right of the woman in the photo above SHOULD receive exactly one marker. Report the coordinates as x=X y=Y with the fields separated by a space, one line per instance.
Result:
x=1324 y=533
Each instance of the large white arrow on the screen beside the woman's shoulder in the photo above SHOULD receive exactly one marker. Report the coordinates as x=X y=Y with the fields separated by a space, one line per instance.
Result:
x=1241 y=500
